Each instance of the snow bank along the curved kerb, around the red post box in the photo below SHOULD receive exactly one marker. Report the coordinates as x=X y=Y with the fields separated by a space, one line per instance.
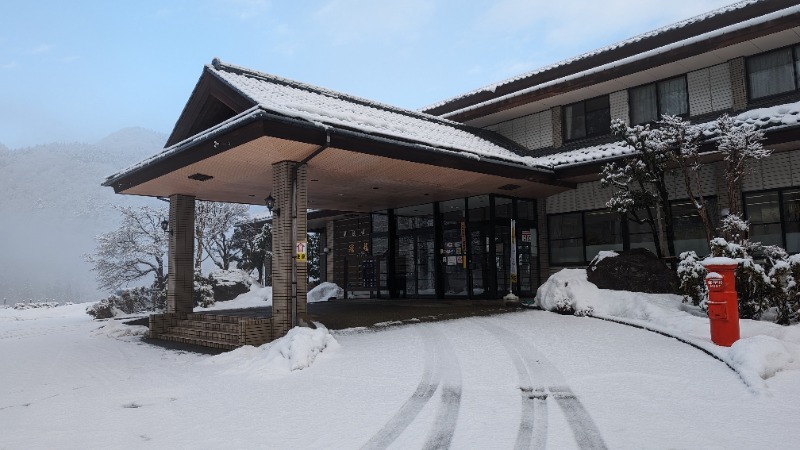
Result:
x=764 y=350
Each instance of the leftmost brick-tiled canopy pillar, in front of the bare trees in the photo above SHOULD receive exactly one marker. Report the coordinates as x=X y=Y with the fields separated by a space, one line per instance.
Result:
x=181 y=254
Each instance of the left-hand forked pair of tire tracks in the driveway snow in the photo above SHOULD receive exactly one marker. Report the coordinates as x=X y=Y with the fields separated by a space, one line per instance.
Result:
x=440 y=364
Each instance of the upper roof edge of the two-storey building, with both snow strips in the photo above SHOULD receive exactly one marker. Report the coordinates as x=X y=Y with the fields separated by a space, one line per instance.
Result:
x=492 y=88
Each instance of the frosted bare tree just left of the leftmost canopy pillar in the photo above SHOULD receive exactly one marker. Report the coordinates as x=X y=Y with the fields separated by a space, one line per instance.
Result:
x=133 y=251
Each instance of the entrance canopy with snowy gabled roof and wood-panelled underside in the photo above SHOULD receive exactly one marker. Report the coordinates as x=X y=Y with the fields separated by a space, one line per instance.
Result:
x=360 y=155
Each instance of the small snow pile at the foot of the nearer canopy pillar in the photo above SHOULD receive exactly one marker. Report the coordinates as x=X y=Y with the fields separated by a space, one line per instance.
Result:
x=296 y=351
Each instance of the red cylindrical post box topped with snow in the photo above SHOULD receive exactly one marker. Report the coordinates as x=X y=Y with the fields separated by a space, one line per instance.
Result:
x=723 y=303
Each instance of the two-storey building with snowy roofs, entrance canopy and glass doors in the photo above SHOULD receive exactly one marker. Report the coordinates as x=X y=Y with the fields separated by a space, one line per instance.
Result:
x=418 y=204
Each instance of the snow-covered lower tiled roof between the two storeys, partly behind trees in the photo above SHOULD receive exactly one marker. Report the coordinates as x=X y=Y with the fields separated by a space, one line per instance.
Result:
x=772 y=118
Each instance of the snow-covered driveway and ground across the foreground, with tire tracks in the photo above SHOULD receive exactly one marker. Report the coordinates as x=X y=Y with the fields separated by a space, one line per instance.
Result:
x=526 y=379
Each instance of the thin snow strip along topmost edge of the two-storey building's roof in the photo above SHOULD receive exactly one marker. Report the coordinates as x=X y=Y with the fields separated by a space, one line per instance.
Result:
x=699 y=18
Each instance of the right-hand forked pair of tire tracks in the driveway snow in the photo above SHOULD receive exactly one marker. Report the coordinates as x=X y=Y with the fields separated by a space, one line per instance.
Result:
x=537 y=375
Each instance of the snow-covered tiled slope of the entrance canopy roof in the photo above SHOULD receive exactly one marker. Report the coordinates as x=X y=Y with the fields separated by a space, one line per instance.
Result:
x=329 y=108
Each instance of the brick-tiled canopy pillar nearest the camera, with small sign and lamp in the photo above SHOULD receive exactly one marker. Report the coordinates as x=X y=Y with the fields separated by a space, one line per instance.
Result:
x=289 y=225
